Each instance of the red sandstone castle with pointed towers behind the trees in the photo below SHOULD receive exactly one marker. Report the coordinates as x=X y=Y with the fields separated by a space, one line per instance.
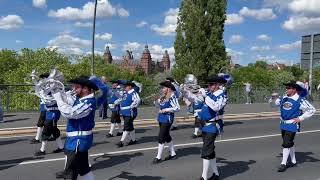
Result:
x=145 y=63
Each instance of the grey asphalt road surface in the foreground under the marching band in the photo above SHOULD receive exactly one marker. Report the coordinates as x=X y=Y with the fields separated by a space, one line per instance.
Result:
x=248 y=150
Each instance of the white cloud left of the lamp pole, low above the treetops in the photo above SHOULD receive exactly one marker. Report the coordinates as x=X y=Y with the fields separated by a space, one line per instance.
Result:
x=68 y=41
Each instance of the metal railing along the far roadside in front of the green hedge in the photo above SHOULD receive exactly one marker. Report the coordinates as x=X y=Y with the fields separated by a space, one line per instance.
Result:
x=18 y=98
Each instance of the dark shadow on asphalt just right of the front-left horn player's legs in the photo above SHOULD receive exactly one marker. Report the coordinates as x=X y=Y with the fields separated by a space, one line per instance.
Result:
x=106 y=161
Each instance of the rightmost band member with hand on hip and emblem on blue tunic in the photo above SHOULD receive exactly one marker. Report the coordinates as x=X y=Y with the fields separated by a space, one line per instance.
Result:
x=294 y=109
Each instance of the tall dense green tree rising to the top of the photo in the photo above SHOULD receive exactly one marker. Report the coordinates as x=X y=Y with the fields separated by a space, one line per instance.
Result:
x=199 y=45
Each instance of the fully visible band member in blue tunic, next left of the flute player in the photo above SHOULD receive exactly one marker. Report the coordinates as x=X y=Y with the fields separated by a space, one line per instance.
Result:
x=128 y=110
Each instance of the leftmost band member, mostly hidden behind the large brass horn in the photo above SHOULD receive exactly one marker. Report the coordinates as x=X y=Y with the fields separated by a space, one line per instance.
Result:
x=42 y=117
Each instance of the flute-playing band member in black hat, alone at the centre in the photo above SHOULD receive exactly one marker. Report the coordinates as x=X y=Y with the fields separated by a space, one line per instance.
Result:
x=168 y=106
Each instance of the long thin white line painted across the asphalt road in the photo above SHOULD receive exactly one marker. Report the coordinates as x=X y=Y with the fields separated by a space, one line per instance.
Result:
x=153 y=148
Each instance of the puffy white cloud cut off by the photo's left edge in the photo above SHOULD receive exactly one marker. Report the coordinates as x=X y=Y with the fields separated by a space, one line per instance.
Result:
x=10 y=22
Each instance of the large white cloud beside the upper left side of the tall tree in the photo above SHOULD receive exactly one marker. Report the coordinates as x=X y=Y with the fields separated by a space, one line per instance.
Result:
x=168 y=28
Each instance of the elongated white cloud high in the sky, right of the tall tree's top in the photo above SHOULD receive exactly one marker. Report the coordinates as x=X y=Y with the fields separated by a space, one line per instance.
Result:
x=259 y=14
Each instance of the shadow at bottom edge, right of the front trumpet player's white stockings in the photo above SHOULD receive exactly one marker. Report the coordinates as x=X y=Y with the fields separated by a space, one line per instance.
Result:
x=231 y=168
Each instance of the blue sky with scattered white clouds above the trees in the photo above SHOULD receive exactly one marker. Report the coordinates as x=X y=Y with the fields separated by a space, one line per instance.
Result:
x=267 y=30
